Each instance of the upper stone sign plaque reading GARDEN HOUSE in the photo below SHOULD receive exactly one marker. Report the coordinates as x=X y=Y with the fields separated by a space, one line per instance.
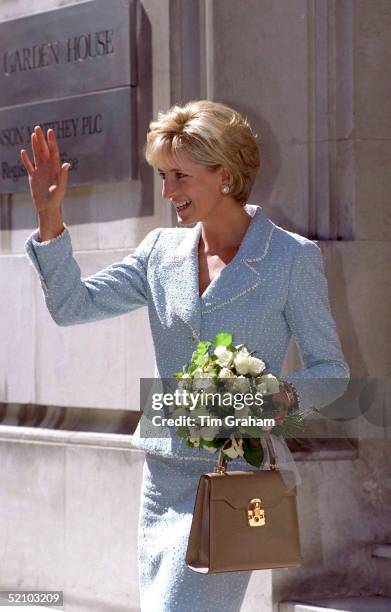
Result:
x=72 y=50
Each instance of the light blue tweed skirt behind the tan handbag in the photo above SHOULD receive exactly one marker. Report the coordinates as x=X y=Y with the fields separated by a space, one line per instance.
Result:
x=168 y=494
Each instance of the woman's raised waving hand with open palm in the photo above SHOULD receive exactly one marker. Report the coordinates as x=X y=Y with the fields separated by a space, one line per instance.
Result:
x=47 y=176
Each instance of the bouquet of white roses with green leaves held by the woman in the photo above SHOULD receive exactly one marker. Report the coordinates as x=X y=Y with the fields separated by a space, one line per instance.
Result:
x=228 y=400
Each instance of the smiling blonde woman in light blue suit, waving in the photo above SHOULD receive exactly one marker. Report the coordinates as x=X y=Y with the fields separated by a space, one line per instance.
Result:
x=232 y=270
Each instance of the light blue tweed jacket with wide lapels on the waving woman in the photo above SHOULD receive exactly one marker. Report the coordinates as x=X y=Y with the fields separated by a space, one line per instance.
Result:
x=273 y=288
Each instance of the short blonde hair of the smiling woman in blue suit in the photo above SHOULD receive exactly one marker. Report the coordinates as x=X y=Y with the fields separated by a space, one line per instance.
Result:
x=209 y=133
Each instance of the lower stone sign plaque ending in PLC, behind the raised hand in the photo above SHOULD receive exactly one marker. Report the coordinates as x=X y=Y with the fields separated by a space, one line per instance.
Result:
x=94 y=131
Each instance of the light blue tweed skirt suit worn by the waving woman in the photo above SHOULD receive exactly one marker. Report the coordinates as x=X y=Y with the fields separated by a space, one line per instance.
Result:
x=273 y=289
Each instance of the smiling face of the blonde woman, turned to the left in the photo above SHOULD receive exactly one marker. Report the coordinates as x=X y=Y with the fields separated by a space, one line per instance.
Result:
x=193 y=189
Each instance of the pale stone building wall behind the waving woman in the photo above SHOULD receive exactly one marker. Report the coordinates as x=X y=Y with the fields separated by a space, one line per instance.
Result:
x=311 y=77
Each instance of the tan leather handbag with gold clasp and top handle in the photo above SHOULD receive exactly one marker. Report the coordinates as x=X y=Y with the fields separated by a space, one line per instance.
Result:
x=244 y=521
